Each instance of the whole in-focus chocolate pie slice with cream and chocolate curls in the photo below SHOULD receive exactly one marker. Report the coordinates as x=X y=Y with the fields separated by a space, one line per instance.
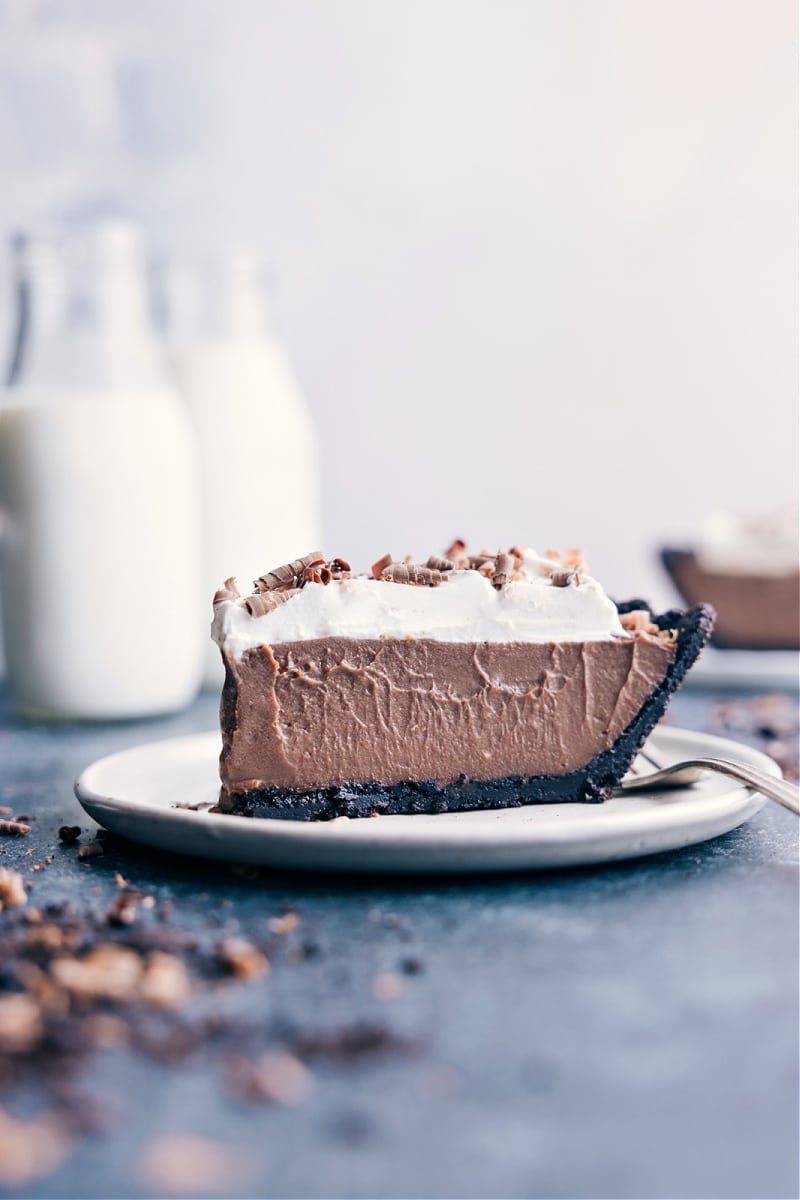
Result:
x=466 y=683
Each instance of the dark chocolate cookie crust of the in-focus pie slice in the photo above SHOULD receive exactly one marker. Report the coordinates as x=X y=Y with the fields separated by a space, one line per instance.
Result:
x=593 y=784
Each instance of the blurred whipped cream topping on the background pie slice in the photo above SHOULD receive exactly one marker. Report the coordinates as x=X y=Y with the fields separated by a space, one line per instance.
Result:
x=766 y=545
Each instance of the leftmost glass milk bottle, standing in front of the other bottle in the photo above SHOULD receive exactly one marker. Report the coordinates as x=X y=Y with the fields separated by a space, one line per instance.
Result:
x=104 y=609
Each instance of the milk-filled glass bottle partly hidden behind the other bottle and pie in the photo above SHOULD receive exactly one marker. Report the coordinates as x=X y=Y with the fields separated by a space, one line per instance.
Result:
x=257 y=443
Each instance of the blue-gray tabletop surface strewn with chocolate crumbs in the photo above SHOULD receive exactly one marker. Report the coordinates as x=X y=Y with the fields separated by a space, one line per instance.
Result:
x=623 y=1031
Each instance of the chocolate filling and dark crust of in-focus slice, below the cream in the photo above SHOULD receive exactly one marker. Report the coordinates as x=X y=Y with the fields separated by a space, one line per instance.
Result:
x=346 y=727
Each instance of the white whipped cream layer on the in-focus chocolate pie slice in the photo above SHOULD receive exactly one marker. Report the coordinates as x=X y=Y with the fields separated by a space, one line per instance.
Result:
x=466 y=609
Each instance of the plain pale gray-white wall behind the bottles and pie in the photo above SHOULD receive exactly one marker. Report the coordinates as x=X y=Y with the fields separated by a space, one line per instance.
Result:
x=536 y=260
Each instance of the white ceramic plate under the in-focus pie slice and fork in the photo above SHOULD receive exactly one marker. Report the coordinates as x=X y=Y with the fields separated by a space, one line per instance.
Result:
x=139 y=794
